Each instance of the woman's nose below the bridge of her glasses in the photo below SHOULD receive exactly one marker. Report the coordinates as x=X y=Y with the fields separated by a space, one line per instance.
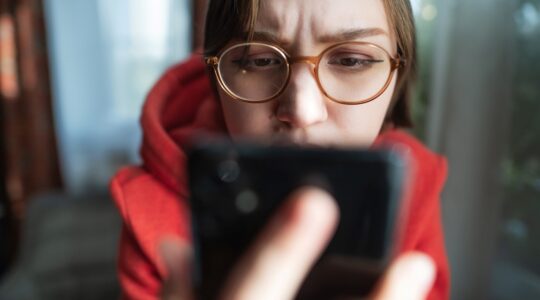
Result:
x=302 y=104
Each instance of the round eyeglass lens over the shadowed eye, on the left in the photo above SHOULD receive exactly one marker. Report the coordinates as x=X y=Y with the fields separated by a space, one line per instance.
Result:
x=253 y=72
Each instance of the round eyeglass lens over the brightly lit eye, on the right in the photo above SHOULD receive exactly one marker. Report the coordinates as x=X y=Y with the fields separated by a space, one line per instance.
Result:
x=354 y=72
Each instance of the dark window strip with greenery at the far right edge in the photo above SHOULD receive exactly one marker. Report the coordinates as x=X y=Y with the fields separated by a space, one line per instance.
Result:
x=516 y=273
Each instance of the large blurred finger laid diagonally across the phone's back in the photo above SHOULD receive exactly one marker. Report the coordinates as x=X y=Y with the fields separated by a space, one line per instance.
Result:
x=284 y=252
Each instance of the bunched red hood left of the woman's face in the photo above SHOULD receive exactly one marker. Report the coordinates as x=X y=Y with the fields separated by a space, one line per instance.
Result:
x=180 y=105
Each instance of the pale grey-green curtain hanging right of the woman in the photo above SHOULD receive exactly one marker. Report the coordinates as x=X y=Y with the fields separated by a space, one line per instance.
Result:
x=468 y=120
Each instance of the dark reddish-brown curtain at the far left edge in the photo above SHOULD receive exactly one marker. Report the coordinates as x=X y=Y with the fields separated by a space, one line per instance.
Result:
x=29 y=159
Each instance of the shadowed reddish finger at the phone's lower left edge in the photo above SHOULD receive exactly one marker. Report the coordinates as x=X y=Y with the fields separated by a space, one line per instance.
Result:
x=176 y=257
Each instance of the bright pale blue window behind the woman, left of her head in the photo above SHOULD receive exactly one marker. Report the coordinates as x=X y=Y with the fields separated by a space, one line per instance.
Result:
x=105 y=56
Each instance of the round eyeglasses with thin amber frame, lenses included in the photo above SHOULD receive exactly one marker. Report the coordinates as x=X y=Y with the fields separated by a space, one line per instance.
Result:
x=347 y=73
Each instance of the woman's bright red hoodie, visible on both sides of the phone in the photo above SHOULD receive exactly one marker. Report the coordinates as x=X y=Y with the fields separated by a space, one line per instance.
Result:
x=152 y=198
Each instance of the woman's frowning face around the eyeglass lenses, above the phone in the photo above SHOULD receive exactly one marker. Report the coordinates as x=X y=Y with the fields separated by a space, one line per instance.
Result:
x=302 y=114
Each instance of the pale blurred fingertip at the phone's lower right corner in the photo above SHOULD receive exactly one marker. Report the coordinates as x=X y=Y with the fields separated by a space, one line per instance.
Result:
x=410 y=277
